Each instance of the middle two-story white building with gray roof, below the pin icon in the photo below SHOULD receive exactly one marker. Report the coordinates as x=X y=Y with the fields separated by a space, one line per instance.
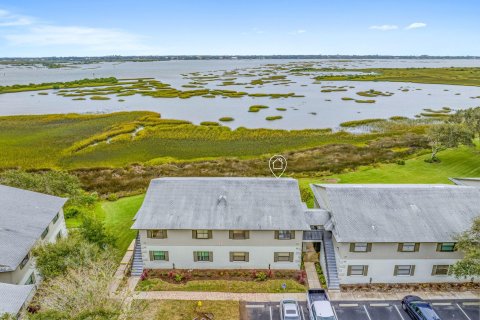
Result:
x=225 y=223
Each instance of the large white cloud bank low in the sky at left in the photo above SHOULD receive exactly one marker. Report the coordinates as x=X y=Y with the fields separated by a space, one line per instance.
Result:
x=30 y=32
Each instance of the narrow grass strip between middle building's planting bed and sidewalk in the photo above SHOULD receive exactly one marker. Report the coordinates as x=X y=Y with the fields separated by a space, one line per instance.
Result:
x=268 y=286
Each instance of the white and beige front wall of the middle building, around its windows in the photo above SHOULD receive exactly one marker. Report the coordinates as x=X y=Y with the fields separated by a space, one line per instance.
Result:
x=261 y=247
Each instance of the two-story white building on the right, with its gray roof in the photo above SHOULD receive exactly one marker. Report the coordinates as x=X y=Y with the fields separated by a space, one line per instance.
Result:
x=393 y=233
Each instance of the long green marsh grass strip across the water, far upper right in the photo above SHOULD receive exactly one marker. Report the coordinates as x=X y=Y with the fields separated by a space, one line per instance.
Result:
x=457 y=76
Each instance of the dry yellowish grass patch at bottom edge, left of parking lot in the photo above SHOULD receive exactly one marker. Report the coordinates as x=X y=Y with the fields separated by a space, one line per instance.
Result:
x=188 y=310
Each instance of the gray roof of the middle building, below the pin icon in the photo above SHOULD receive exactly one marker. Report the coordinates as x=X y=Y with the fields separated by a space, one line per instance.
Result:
x=222 y=204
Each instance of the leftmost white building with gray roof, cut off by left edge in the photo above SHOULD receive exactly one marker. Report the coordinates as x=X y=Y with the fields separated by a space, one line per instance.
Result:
x=26 y=218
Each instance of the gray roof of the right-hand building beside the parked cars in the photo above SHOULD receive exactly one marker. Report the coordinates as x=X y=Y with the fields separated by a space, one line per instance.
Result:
x=398 y=213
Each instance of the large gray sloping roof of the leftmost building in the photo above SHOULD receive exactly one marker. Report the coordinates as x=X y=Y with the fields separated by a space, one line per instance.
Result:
x=24 y=215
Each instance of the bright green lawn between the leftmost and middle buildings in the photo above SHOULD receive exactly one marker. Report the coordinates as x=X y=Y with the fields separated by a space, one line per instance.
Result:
x=117 y=217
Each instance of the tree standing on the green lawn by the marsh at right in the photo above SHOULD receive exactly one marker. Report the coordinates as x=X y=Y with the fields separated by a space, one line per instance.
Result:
x=448 y=135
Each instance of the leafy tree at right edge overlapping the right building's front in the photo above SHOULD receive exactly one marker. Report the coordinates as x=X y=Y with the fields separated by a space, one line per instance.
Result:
x=468 y=242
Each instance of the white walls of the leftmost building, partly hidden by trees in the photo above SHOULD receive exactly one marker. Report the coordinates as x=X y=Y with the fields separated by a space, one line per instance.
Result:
x=20 y=276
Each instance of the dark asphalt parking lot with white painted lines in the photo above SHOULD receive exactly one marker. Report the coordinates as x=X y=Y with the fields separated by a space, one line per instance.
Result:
x=368 y=310
